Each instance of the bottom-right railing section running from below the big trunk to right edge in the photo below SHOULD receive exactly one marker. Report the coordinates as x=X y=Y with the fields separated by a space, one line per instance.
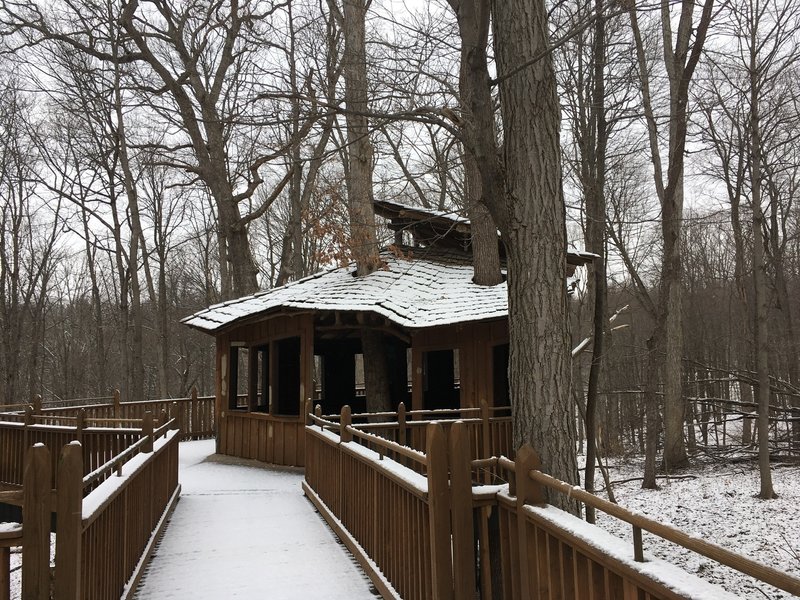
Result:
x=570 y=562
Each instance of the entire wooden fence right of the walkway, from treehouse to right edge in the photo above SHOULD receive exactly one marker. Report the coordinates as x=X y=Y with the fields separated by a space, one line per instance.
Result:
x=436 y=531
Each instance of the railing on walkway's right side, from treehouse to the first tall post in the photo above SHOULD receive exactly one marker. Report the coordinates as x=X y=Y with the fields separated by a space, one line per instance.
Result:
x=400 y=526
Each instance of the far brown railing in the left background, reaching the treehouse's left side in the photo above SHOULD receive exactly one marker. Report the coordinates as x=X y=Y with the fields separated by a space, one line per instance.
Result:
x=195 y=414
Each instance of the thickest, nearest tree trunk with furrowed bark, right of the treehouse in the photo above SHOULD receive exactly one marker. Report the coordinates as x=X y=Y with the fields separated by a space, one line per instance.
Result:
x=535 y=235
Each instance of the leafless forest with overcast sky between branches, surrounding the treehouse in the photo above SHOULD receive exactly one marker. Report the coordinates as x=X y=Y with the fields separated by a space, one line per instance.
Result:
x=182 y=153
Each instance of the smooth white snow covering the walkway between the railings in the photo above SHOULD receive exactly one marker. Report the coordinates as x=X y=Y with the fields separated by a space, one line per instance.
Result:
x=247 y=531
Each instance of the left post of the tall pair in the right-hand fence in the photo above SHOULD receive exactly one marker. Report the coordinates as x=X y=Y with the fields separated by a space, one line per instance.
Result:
x=439 y=513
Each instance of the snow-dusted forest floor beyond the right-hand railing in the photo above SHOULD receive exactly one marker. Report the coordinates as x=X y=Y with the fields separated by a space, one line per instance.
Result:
x=718 y=504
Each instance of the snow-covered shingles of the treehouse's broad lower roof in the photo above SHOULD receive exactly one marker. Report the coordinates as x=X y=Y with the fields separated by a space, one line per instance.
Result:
x=416 y=291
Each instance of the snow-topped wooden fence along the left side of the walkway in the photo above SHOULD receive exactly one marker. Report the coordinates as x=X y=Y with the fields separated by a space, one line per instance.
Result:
x=107 y=520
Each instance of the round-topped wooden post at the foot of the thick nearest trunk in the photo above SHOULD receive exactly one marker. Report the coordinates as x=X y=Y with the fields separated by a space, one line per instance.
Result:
x=528 y=492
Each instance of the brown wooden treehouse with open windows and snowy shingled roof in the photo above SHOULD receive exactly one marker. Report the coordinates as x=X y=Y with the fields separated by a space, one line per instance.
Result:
x=446 y=339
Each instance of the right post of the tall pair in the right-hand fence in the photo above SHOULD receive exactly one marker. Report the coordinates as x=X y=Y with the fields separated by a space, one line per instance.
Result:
x=461 y=510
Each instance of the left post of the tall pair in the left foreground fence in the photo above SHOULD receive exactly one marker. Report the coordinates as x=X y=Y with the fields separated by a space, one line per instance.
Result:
x=36 y=524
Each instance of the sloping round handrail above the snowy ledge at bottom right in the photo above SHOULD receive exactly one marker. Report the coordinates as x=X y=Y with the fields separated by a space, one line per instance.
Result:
x=717 y=553
